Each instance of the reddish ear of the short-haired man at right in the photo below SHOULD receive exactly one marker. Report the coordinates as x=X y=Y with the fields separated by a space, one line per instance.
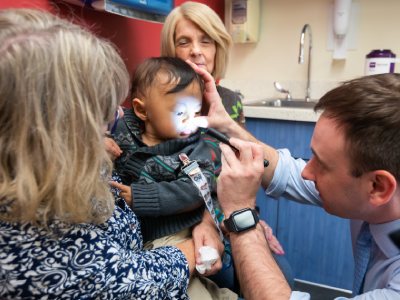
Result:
x=384 y=186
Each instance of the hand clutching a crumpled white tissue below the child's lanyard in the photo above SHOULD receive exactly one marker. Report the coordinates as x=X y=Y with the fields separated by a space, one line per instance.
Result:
x=205 y=234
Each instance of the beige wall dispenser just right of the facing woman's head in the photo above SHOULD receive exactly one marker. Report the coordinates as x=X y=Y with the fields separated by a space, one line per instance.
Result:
x=242 y=20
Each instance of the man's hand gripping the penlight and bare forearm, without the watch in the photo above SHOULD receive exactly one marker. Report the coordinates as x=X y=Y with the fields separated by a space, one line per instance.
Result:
x=237 y=186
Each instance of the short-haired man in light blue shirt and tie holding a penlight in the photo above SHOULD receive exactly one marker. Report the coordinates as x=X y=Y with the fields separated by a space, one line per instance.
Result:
x=354 y=173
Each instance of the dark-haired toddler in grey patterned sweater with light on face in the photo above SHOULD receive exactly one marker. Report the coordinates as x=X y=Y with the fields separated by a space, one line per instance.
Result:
x=167 y=95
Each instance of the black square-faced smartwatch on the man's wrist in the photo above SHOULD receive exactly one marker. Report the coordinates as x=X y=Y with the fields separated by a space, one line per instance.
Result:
x=241 y=220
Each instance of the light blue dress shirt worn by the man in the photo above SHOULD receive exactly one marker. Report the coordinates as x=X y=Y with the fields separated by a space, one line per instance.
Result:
x=382 y=280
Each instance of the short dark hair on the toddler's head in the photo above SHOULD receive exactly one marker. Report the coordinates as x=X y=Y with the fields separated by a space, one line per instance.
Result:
x=177 y=70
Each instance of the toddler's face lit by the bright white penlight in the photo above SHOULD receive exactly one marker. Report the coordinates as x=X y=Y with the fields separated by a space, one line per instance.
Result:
x=170 y=115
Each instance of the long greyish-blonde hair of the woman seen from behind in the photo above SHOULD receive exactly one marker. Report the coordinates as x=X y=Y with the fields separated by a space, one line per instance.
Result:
x=59 y=86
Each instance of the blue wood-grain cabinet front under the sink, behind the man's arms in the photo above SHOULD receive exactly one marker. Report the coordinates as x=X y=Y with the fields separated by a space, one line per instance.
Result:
x=317 y=245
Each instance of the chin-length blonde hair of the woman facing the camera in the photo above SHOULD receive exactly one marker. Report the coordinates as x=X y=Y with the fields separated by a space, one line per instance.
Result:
x=208 y=21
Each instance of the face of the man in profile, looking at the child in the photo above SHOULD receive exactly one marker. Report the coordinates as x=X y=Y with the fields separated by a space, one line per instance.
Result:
x=342 y=194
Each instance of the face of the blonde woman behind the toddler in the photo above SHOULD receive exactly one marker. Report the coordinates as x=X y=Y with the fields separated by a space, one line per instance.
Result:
x=194 y=44
